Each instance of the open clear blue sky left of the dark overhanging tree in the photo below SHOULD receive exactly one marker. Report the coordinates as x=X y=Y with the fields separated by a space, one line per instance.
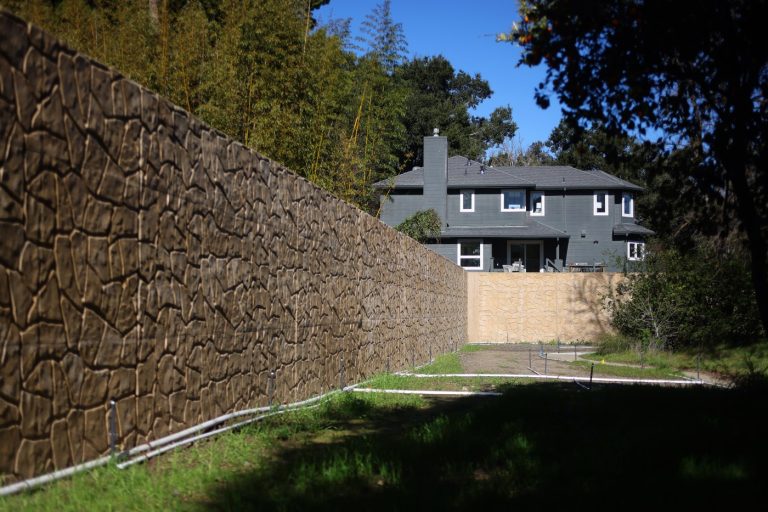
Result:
x=464 y=31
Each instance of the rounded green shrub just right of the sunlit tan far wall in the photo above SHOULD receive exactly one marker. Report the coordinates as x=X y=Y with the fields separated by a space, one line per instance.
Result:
x=700 y=298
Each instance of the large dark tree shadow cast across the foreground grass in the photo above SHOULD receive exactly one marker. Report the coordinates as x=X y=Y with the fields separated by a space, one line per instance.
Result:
x=537 y=446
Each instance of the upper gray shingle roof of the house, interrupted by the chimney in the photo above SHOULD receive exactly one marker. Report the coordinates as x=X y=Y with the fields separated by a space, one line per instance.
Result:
x=463 y=172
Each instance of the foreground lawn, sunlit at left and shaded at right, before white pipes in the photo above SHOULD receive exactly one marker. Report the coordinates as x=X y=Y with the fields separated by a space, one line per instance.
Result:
x=540 y=445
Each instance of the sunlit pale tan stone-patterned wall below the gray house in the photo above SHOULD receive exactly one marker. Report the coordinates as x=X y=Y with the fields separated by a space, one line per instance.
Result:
x=533 y=307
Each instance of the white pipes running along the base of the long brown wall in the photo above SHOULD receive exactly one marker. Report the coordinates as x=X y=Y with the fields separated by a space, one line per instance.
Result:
x=153 y=446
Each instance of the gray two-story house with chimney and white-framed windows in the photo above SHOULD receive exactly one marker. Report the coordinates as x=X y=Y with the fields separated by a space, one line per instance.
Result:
x=519 y=218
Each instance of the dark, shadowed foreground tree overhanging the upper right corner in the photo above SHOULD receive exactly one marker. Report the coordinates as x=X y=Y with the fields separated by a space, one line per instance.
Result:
x=695 y=72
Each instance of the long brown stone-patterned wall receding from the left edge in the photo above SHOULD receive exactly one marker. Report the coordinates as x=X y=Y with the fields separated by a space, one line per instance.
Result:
x=147 y=259
